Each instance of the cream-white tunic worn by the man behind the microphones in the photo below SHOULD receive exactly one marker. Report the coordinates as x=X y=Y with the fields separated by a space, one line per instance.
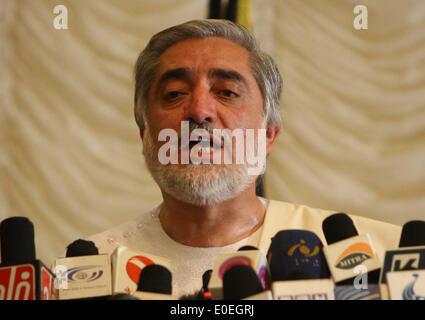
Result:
x=189 y=263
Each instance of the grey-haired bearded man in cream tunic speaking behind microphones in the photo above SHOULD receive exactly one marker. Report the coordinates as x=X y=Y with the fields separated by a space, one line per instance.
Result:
x=210 y=75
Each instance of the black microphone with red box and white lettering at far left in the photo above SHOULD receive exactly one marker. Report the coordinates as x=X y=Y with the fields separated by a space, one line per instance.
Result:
x=22 y=276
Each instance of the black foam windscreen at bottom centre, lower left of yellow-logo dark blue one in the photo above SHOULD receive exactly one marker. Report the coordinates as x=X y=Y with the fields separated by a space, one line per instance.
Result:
x=240 y=282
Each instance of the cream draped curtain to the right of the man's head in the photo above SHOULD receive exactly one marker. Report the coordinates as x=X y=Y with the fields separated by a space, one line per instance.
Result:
x=353 y=105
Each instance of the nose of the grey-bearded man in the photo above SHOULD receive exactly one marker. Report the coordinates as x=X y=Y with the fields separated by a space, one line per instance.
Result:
x=201 y=107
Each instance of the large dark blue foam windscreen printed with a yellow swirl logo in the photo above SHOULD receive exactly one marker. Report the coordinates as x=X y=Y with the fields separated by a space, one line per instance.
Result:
x=297 y=254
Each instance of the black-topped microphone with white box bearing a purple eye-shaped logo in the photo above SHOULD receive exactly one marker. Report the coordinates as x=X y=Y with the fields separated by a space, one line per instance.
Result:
x=84 y=273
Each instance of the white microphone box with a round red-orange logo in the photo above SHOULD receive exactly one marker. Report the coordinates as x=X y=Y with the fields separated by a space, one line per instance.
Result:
x=127 y=266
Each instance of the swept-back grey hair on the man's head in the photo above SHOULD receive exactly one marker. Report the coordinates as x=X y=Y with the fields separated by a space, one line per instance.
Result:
x=263 y=66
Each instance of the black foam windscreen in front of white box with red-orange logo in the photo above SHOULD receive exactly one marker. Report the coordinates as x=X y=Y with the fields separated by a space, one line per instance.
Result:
x=155 y=278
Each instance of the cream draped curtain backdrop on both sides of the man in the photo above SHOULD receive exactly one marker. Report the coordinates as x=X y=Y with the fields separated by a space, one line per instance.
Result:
x=353 y=106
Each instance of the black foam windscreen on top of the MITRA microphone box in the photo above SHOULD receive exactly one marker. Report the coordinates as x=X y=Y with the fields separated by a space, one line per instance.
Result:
x=337 y=227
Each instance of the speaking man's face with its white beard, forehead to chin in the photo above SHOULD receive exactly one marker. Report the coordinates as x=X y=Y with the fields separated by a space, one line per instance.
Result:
x=207 y=82
